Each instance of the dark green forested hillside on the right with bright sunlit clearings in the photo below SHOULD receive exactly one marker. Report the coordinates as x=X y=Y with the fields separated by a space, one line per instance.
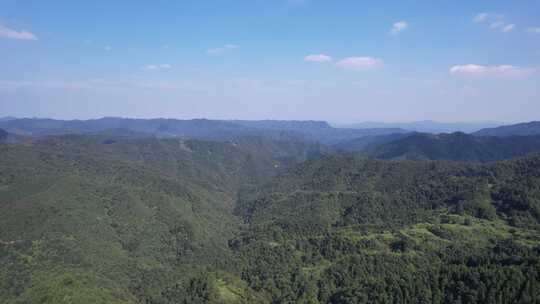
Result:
x=346 y=229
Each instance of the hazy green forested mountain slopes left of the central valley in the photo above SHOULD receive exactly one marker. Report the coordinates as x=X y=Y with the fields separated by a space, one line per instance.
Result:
x=95 y=219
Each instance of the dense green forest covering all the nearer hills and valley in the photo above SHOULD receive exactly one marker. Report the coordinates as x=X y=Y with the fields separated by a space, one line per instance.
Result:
x=259 y=219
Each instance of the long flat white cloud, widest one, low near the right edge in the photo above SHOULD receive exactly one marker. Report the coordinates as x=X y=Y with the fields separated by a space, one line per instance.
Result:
x=498 y=71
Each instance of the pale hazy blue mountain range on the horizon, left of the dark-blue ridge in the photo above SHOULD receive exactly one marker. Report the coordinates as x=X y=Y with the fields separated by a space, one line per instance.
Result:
x=196 y=128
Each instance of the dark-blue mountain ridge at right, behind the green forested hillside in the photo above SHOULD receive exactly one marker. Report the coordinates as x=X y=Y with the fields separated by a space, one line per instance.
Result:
x=455 y=146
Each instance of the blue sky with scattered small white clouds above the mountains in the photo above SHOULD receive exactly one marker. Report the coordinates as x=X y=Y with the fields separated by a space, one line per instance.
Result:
x=341 y=61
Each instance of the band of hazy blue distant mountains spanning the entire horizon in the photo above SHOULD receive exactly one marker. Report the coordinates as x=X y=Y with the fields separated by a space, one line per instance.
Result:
x=487 y=144
